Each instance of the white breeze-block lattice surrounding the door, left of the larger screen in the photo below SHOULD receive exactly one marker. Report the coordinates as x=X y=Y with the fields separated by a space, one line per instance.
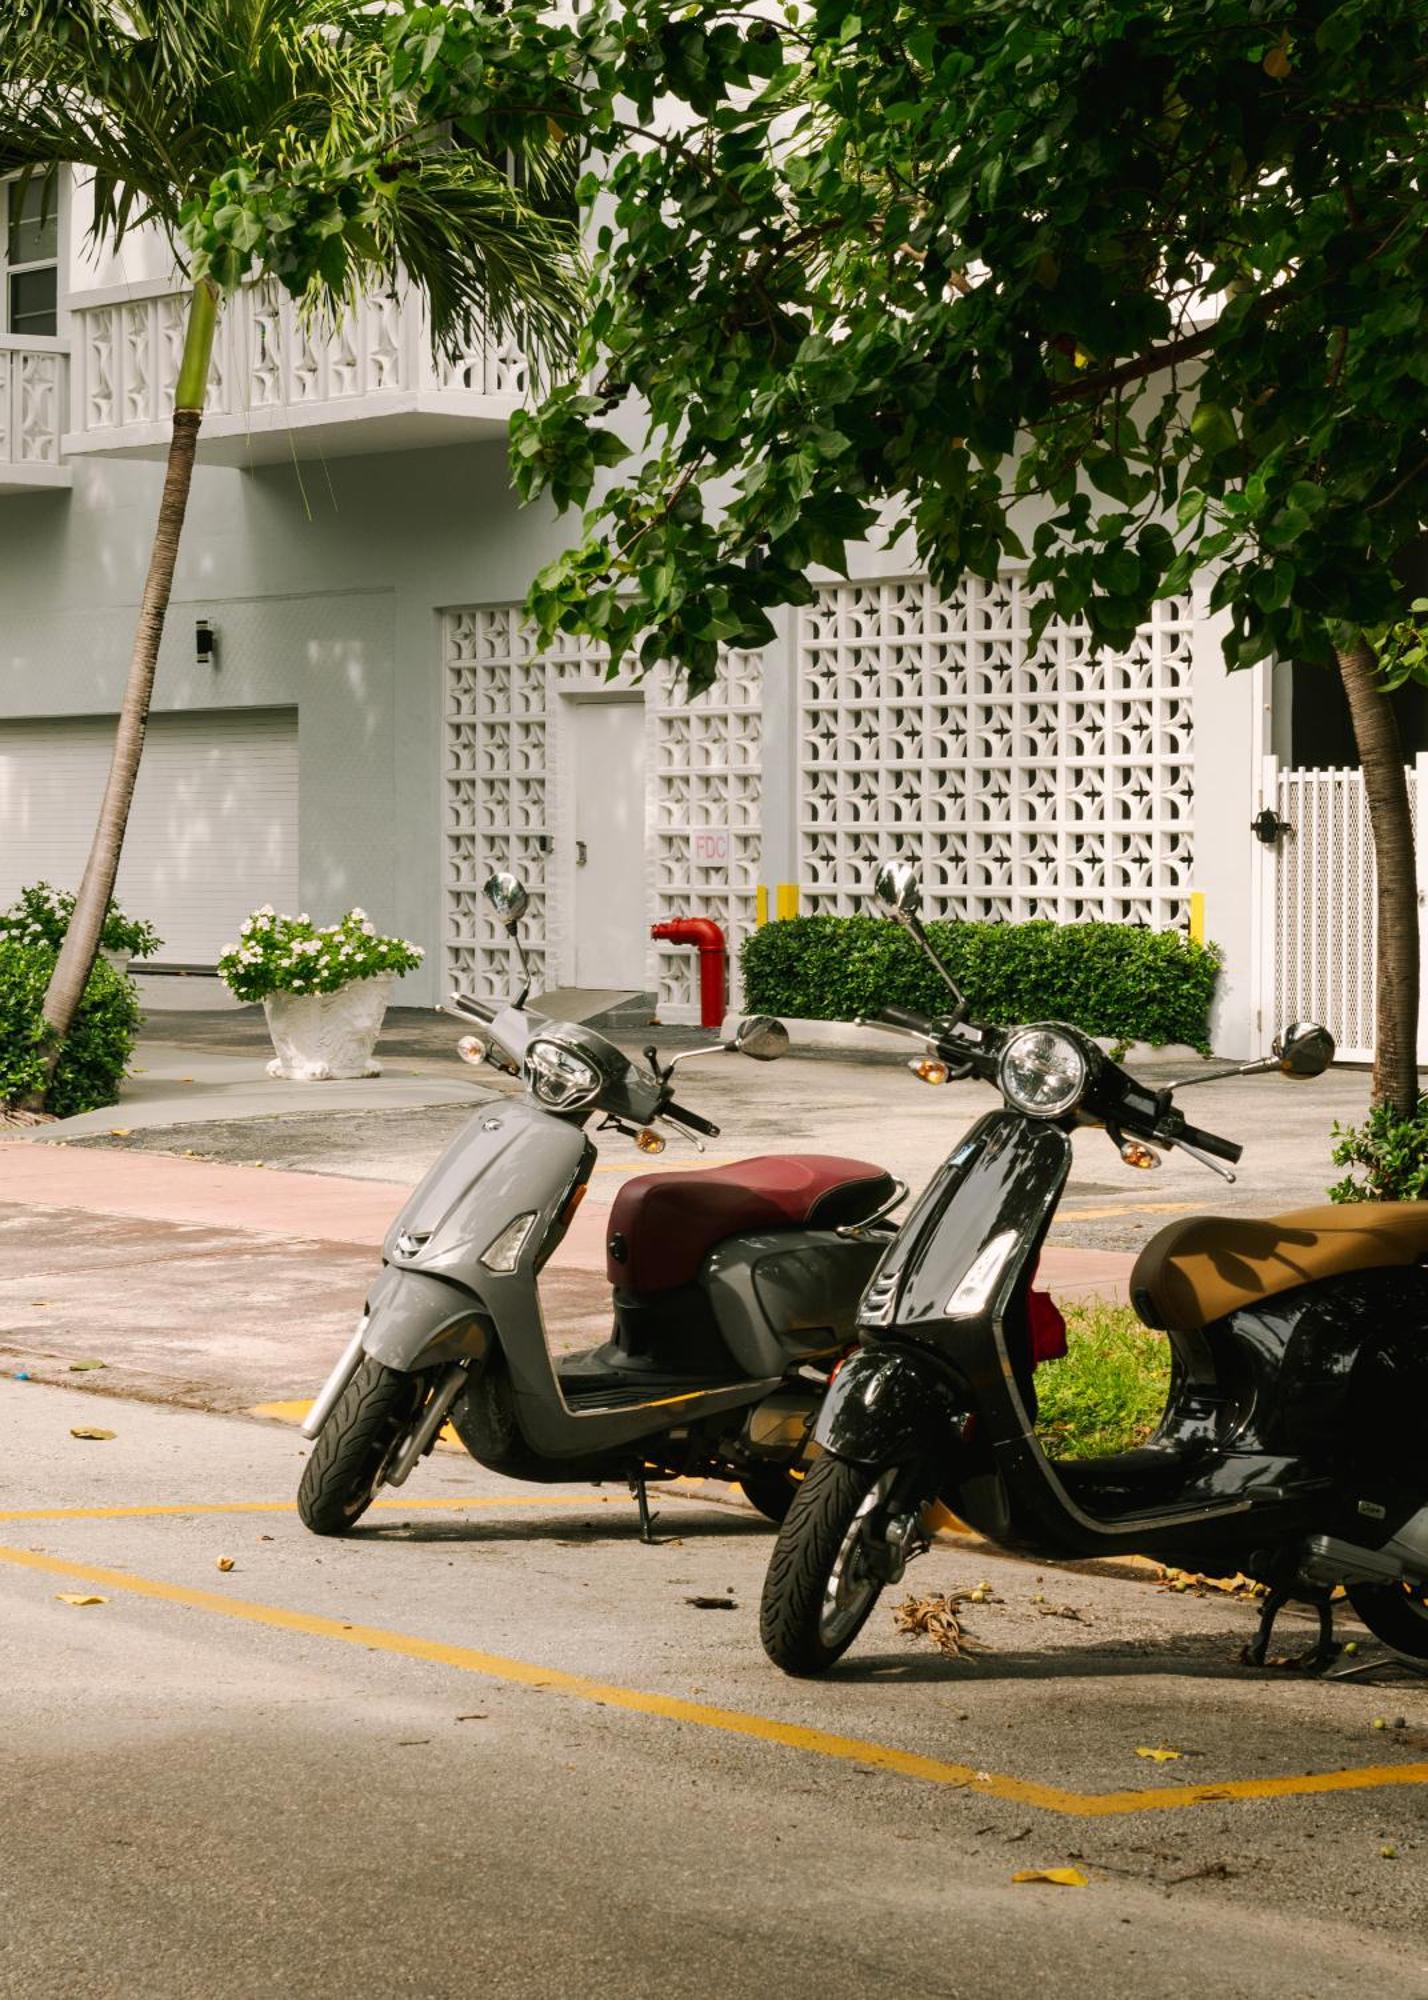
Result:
x=503 y=799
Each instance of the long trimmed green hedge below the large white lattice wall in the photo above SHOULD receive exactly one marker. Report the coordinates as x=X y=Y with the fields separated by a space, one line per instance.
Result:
x=1107 y=979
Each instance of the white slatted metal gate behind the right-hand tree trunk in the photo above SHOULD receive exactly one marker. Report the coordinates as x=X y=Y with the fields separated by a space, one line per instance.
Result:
x=1319 y=923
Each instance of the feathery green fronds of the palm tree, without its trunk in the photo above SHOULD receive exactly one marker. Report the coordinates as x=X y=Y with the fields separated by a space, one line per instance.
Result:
x=165 y=101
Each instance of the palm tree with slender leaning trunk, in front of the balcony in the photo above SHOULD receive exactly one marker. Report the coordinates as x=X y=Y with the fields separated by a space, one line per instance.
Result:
x=275 y=139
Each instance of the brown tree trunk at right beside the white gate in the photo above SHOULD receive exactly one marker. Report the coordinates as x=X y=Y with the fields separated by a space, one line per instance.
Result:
x=1389 y=815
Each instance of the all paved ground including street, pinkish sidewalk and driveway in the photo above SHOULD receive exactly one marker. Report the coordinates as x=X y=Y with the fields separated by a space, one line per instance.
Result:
x=493 y=1743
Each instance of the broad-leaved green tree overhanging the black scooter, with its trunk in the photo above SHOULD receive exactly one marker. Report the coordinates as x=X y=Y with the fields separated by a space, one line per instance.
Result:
x=1133 y=289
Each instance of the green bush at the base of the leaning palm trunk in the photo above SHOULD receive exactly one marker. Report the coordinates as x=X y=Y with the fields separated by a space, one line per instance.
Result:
x=97 y=1049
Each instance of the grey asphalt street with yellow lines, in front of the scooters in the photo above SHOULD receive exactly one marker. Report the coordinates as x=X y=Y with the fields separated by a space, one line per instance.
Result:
x=493 y=1743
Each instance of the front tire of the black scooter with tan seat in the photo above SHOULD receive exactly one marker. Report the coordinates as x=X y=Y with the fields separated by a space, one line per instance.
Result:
x=817 y=1597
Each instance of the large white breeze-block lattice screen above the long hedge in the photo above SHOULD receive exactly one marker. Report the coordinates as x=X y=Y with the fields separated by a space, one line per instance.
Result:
x=1025 y=781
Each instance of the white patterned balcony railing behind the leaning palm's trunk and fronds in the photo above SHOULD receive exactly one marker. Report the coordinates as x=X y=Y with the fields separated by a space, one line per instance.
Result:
x=279 y=387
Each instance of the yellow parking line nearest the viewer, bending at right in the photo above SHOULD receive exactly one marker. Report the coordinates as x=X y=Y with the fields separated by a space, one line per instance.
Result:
x=729 y=1721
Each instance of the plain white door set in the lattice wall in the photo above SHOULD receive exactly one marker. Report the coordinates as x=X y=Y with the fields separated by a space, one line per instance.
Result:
x=611 y=923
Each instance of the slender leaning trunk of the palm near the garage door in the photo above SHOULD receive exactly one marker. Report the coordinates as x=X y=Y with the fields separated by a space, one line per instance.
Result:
x=83 y=937
